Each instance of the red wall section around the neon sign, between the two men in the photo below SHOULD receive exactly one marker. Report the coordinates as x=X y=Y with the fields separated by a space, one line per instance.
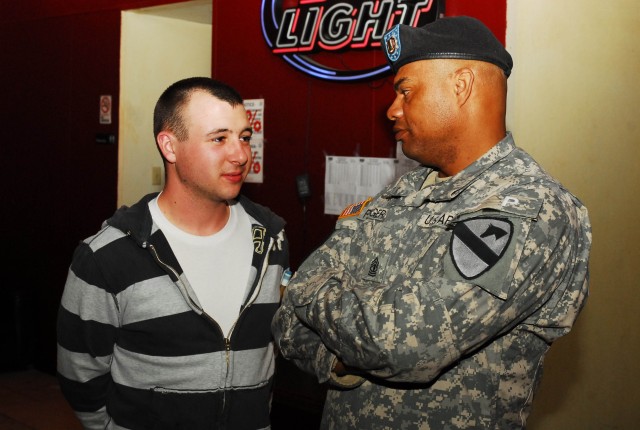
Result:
x=307 y=118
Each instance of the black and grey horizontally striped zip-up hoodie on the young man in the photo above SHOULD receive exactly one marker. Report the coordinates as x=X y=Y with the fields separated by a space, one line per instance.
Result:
x=131 y=338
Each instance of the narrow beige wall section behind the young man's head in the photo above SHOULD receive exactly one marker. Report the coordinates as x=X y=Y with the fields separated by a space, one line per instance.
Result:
x=156 y=51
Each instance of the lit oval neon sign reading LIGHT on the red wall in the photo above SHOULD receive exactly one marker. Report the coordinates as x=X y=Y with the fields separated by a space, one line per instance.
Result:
x=317 y=36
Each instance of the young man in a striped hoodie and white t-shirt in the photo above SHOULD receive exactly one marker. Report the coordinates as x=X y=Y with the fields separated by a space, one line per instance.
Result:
x=164 y=320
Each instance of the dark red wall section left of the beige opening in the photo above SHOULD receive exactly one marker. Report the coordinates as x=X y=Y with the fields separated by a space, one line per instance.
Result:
x=57 y=58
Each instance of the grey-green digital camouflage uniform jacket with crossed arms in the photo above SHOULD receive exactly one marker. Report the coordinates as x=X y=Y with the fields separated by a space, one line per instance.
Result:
x=446 y=298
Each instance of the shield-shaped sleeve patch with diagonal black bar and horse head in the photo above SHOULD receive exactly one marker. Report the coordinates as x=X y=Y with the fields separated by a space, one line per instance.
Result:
x=478 y=244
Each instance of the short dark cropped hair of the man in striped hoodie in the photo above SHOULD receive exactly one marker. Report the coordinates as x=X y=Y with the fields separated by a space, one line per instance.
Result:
x=167 y=113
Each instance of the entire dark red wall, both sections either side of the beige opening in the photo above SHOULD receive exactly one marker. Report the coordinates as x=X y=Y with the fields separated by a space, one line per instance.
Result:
x=59 y=56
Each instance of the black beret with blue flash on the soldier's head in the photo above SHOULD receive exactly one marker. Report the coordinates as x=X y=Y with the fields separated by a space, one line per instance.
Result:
x=459 y=37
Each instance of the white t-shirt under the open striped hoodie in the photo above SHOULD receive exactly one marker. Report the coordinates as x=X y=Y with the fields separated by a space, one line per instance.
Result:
x=217 y=266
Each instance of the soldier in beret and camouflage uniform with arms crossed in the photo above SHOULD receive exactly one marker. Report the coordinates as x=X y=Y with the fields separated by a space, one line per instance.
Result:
x=433 y=304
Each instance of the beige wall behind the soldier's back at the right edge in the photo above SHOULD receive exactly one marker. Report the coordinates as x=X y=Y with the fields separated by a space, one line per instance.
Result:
x=573 y=104
